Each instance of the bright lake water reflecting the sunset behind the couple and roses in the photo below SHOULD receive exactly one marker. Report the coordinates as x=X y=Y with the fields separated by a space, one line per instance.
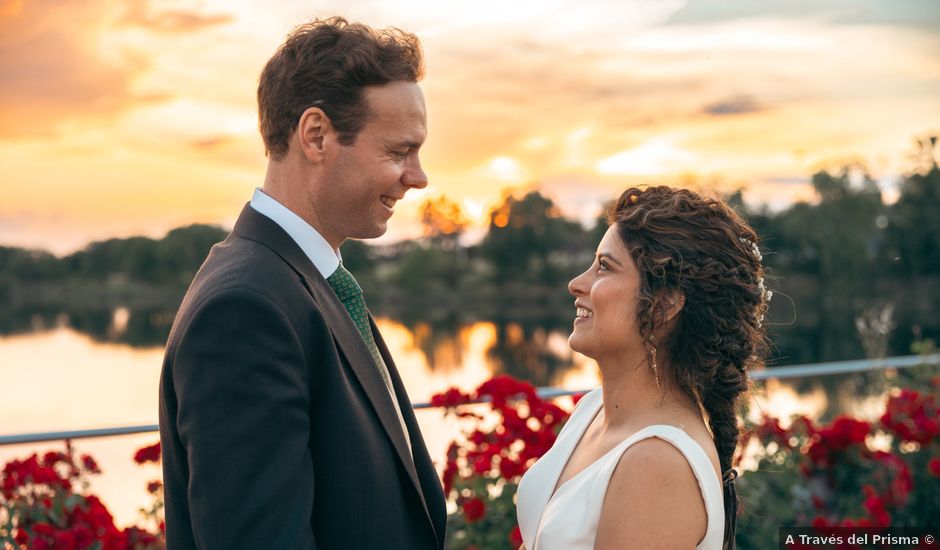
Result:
x=59 y=379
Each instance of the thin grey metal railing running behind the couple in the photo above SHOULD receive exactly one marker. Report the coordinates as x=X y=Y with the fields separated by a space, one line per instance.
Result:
x=780 y=373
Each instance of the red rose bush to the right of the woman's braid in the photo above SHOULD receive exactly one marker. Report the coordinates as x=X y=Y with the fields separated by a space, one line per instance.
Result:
x=847 y=473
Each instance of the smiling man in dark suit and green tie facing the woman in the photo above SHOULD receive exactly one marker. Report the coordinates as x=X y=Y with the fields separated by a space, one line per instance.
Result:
x=283 y=419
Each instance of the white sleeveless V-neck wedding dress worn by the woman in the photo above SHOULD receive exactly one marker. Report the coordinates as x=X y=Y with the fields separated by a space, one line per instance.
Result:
x=568 y=519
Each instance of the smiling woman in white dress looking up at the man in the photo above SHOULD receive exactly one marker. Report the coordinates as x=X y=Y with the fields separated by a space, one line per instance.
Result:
x=671 y=310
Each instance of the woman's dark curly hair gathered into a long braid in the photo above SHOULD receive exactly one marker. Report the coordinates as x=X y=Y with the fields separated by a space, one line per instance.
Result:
x=699 y=247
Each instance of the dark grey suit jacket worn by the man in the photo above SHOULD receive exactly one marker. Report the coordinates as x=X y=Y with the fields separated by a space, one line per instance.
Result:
x=277 y=429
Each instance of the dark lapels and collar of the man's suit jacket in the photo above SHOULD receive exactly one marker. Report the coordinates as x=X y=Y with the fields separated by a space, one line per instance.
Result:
x=257 y=227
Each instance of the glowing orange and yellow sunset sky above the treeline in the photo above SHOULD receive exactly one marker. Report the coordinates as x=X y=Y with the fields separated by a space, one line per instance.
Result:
x=124 y=117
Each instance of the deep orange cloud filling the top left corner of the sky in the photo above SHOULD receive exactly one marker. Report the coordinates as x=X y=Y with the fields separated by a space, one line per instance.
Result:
x=66 y=63
